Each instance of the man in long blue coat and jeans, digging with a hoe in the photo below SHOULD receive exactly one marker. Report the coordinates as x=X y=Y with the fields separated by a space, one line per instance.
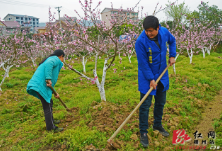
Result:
x=151 y=53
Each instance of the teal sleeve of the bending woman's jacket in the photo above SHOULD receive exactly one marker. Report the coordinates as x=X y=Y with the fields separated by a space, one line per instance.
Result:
x=50 y=63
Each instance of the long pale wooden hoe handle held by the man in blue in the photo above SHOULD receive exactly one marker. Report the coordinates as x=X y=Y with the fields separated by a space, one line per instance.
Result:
x=127 y=119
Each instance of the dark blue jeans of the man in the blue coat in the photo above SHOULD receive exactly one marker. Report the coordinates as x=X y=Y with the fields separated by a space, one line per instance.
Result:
x=160 y=100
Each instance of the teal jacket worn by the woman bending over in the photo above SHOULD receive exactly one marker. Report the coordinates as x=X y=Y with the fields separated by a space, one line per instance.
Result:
x=49 y=69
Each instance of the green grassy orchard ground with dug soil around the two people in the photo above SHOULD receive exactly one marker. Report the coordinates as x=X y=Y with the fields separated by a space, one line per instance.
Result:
x=93 y=122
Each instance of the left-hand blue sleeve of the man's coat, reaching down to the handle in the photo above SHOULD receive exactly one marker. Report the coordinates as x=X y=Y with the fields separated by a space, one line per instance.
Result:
x=142 y=58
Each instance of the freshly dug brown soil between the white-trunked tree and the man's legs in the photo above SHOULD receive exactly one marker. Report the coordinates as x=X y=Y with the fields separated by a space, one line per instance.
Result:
x=108 y=117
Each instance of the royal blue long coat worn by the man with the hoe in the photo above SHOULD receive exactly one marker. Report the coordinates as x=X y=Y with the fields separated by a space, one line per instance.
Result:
x=152 y=59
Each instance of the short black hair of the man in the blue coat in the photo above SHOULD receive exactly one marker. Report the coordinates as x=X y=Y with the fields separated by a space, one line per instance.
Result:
x=150 y=22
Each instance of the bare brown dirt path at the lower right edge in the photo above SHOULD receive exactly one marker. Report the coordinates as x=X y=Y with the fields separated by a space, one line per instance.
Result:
x=212 y=111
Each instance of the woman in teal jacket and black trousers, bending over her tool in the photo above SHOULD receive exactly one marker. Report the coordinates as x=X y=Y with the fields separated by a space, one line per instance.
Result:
x=48 y=70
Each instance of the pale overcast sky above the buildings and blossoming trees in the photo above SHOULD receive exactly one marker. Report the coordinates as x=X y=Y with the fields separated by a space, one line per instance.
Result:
x=39 y=8
